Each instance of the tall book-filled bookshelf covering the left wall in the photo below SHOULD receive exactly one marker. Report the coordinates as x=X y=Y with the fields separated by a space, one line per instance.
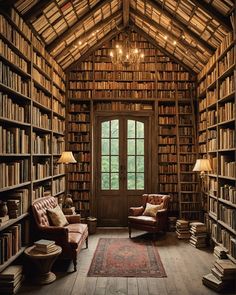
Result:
x=32 y=123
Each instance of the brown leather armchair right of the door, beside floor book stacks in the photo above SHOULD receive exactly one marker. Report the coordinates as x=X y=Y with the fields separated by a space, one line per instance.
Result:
x=137 y=220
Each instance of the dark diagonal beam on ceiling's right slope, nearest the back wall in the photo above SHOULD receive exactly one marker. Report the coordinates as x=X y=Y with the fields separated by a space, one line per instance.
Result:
x=164 y=31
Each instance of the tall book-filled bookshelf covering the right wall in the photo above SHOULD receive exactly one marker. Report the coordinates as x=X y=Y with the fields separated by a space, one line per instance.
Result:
x=217 y=131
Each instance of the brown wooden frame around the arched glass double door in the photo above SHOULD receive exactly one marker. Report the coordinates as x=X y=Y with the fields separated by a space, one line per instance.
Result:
x=150 y=117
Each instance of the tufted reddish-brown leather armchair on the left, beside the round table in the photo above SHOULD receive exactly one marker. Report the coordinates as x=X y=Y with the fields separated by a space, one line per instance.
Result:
x=70 y=237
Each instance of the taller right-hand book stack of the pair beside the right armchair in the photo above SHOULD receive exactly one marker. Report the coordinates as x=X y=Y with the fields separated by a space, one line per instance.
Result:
x=198 y=232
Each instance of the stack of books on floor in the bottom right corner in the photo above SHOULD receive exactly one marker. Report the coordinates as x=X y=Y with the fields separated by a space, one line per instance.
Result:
x=222 y=276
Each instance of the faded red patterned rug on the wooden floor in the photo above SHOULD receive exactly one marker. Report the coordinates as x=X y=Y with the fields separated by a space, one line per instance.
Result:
x=123 y=257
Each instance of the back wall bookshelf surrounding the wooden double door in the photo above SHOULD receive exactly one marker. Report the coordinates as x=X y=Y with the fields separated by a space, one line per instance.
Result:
x=158 y=87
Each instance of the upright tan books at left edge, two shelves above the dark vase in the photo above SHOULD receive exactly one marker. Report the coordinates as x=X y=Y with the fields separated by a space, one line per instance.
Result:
x=14 y=141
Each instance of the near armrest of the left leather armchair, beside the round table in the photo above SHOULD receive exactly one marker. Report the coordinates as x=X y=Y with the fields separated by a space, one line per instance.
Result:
x=57 y=233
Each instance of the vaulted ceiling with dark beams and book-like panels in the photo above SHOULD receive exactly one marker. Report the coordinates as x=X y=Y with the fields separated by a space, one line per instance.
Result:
x=188 y=30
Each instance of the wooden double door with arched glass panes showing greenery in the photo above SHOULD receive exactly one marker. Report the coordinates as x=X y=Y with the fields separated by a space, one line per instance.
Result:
x=121 y=166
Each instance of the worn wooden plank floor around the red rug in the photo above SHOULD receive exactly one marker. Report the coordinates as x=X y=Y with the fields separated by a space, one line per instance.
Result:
x=184 y=266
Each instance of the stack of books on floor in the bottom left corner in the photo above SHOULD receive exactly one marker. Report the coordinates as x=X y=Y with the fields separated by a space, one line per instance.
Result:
x=11 y=279
